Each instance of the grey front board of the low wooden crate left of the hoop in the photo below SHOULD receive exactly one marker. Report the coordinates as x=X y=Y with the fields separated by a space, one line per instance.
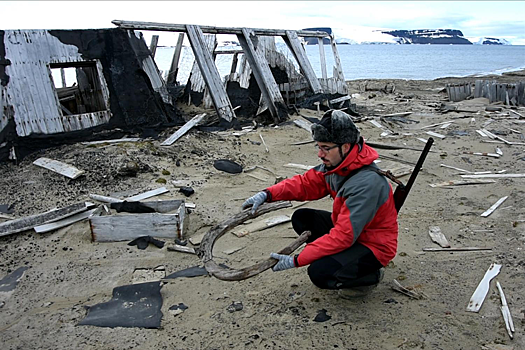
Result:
x=114 y=228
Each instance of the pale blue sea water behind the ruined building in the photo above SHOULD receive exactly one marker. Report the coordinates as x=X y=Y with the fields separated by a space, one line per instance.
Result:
x=418 y=62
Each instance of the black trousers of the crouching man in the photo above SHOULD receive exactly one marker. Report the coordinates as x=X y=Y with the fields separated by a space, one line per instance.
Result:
x=353 y=267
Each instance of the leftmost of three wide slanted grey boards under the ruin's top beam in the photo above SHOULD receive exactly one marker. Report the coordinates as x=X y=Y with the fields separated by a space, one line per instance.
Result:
x=210 y=73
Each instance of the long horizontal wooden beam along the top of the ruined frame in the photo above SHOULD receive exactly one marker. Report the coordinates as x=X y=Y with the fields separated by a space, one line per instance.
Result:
x=170 y=27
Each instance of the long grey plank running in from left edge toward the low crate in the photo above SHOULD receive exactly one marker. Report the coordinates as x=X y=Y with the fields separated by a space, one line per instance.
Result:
x=26 y=223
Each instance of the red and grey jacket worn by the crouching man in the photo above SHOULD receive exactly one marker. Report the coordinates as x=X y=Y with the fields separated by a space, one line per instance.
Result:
x=363 y=209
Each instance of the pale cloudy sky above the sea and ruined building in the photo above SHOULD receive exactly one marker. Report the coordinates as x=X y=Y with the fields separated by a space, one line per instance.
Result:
x=348 y=19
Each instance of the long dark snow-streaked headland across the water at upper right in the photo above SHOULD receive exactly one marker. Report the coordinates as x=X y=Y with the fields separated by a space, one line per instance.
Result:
x=429 y=36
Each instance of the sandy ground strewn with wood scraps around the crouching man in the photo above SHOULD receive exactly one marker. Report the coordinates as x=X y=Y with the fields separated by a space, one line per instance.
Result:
x=67 y=271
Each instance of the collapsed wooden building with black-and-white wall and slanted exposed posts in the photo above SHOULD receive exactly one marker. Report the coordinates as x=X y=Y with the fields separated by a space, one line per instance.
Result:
x=116 y=82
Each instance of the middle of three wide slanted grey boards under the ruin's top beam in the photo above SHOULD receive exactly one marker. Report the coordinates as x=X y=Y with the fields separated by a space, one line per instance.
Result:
x=263 y=75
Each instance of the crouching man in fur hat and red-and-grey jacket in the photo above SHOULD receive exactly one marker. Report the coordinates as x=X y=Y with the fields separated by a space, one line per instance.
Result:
x=349 y=247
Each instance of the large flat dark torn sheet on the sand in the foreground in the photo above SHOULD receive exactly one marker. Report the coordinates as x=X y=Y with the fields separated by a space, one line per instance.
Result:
x=136 y=305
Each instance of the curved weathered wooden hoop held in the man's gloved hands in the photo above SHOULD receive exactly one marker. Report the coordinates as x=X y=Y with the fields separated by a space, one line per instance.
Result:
x=227 y=274
